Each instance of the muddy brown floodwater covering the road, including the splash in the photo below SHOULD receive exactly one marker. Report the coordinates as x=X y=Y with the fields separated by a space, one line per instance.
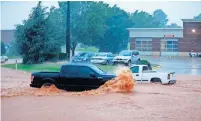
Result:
x=119 y=99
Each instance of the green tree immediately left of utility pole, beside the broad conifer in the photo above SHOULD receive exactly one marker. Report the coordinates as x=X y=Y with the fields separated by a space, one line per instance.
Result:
x=55 y=33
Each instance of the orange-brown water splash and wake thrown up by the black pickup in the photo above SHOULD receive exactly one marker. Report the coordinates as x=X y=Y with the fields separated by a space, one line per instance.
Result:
x=122 y=83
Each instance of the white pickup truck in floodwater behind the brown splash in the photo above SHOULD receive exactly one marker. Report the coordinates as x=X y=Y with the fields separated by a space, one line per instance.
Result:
x=142 y=74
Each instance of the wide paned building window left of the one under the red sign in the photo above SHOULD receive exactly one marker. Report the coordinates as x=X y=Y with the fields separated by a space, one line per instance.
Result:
x=143 y=44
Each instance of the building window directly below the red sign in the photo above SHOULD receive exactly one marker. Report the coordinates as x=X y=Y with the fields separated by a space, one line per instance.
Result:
x=169 y=45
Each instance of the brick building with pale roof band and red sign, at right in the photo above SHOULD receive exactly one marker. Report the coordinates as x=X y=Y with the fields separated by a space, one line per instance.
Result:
x=167 y=41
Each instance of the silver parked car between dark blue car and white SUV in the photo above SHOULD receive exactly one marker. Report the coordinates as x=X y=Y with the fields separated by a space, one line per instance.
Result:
x=102 y=58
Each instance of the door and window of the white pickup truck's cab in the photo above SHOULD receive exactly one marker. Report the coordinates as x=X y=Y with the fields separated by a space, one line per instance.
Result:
x=136 y=74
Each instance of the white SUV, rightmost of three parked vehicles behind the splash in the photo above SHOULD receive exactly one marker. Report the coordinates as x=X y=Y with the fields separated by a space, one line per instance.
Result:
x=127 y=57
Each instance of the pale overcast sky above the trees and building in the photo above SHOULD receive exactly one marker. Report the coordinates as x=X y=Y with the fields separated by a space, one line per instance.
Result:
x=13 y=13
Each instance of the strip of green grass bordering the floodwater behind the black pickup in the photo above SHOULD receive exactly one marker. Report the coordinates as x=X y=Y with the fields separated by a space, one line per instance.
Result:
x=48 y=67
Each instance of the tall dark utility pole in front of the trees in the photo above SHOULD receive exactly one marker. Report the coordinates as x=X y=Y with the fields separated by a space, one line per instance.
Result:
x=68 y=43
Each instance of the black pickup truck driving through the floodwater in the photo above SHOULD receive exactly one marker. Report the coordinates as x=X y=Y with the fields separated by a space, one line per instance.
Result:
x=72 y=77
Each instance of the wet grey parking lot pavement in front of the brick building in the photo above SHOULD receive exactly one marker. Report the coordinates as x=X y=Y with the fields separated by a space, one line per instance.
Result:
x=180 y=65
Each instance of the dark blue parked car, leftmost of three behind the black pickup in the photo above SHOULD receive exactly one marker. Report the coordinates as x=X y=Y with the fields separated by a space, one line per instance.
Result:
x=83 y=57
